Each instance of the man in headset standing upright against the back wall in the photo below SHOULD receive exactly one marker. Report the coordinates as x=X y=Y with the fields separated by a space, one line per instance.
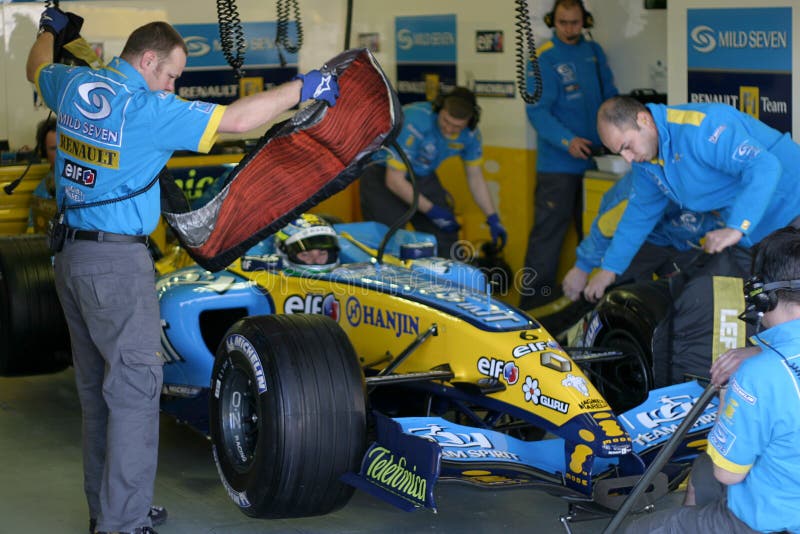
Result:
x=575 y=80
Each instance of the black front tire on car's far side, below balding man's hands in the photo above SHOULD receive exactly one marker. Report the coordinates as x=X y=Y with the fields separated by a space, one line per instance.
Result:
x=628 y=316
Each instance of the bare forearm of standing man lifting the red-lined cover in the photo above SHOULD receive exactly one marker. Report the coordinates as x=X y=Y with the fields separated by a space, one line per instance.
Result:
x=256 y=110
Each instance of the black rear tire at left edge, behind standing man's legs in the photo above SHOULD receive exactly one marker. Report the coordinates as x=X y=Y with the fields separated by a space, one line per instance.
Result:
x=33 y=333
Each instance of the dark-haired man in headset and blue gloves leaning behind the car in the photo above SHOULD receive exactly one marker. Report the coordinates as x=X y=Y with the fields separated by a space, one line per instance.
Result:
x=431 y=133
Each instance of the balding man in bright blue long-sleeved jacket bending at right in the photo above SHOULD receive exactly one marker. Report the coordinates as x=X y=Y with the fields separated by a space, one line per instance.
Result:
x=703 y=157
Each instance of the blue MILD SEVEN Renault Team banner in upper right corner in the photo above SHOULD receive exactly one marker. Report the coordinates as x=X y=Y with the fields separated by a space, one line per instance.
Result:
x=743 y=57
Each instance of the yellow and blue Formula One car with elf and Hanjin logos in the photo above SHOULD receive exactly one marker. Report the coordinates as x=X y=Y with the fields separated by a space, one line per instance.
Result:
x=386 y=376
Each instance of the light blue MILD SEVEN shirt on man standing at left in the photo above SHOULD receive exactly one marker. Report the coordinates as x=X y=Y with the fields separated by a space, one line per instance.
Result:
x=114 y=135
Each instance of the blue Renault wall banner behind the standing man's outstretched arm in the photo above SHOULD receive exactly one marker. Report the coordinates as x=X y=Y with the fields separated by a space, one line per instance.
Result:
x=208 y=76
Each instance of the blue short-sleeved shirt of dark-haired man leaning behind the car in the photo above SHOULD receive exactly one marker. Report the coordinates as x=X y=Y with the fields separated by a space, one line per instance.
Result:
x=426 y=147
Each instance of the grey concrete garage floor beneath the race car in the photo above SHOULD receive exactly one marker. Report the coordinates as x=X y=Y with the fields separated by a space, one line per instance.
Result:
x=41 y=484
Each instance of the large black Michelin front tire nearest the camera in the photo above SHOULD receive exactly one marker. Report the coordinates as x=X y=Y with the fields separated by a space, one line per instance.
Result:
x=287 y=415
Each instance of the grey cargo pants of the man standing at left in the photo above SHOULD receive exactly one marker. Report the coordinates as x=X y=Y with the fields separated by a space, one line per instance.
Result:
x=107 y=291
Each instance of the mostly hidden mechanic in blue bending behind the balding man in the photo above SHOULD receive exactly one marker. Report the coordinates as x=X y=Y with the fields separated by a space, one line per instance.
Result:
x=670 y=248
